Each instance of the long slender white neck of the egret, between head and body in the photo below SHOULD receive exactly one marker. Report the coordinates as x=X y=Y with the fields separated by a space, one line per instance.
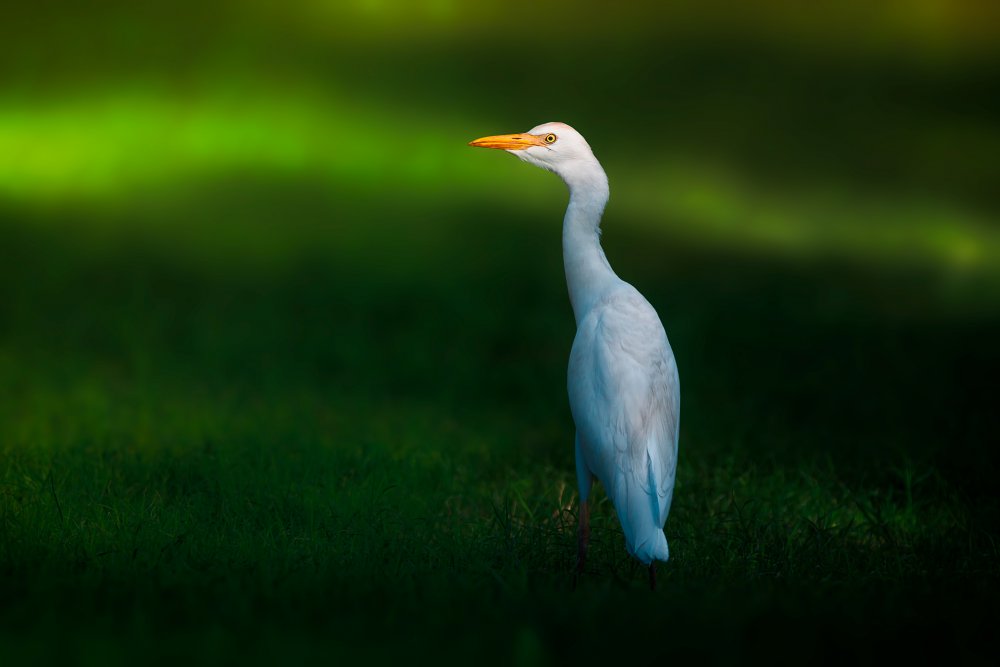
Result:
x=588 y=274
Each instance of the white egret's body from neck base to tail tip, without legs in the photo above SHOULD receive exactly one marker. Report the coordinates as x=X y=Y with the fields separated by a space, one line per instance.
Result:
x=625 y=397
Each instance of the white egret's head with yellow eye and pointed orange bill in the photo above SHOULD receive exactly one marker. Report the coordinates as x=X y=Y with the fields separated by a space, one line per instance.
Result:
x=556 y=147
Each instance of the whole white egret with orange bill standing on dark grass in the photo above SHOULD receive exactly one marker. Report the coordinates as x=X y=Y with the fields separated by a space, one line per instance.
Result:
x=624 y=391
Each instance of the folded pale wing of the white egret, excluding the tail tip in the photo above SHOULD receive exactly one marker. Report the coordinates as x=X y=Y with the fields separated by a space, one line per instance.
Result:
x=635 y=414
